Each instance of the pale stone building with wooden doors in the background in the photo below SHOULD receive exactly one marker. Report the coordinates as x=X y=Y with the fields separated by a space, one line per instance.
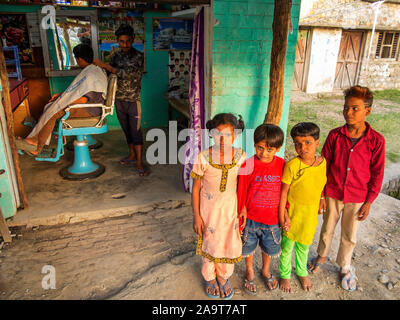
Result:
x=334 y=47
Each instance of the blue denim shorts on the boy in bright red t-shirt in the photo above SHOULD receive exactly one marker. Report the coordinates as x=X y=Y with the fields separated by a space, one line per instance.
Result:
x=269 y=238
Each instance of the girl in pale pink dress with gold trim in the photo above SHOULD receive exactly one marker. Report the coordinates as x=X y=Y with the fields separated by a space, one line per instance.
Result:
x=214 y=203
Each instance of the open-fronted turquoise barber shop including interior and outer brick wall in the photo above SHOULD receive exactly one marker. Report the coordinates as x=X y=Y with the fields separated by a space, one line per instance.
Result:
x=88 y=88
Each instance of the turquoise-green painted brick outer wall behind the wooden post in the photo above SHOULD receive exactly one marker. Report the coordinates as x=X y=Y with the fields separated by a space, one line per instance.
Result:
x=241 y=58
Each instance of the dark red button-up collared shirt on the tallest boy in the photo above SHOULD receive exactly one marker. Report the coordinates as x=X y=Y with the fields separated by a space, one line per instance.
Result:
x=355 y=173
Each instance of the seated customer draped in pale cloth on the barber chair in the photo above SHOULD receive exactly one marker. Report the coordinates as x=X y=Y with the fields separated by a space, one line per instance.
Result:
x=89 y=86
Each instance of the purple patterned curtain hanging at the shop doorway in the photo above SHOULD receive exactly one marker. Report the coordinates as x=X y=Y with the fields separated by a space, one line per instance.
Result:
x=196 y=98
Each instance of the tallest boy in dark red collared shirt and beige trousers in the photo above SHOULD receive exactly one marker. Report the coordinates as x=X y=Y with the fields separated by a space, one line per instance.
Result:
x=355 y=156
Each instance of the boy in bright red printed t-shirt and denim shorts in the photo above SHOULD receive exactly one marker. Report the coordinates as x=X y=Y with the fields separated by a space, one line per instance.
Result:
x=259 y=190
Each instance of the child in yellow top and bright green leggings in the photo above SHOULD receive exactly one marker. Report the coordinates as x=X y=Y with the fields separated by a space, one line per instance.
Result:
x=303 y=180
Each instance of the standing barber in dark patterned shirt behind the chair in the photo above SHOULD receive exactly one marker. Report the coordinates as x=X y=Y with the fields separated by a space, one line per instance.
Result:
x=127 y=64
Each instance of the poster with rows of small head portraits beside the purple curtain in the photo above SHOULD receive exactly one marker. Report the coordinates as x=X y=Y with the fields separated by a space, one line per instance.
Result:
x=179 y=73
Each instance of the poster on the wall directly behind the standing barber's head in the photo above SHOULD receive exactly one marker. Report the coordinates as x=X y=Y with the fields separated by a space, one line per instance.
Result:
x=109 y=21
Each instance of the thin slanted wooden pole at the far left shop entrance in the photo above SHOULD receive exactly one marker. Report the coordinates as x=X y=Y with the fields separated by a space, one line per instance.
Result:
x=10 y=126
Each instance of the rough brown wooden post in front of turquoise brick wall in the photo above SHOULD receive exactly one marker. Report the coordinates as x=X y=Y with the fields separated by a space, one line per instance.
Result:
x=280 y=27
